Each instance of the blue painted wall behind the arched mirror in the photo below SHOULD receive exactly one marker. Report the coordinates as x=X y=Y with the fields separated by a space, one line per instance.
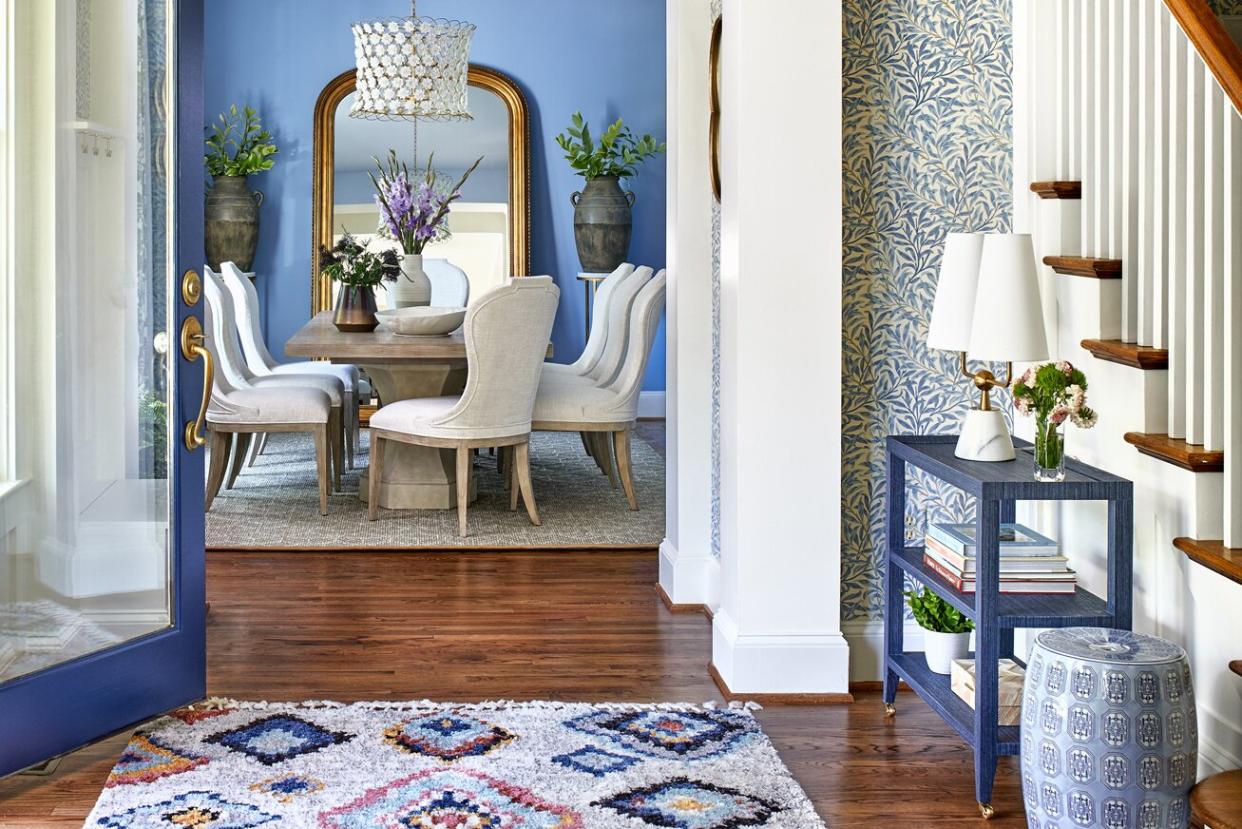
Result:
x=601 y=57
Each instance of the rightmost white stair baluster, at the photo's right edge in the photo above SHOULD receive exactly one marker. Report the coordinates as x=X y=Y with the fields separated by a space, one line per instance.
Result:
x=1231 y=268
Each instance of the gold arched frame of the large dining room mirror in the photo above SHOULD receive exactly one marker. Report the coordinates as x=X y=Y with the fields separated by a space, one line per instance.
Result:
x=325 y=155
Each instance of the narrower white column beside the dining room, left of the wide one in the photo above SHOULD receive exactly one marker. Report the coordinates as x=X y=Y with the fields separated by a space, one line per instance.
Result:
x=689 y=571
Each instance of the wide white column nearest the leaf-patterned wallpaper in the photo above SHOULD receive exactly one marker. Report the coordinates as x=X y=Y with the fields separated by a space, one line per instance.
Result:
x=778 y=630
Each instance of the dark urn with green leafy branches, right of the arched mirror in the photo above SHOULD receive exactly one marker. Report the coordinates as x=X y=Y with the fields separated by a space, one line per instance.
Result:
x=603 y=212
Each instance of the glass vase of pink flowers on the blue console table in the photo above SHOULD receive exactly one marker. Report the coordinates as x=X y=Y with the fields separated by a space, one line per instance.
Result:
x=1056 y=395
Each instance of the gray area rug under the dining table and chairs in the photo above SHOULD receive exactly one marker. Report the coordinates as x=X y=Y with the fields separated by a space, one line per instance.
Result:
x=275 y=505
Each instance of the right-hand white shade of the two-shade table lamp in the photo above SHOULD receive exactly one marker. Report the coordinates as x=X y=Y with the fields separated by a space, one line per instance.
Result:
x=1008 y=324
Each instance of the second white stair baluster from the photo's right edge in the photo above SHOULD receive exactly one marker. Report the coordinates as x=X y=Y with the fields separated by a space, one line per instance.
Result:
x=1197 y=139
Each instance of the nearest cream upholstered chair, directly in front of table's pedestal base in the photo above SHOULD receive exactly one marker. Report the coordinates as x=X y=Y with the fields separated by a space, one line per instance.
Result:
x=507 y=334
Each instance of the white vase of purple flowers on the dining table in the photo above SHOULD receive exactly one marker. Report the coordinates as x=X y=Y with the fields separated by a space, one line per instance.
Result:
x=414 y=214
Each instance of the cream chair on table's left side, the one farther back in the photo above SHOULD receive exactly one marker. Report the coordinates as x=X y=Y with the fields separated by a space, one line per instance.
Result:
x=261 y=364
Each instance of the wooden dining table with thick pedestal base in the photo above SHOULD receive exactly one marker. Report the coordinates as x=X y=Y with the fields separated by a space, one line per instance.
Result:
x=401 y=369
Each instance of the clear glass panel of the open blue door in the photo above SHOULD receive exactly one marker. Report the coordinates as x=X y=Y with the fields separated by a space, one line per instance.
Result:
x=86 y=446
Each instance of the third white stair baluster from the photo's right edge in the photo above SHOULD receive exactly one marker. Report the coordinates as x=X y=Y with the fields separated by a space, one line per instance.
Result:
x=1176 y=212
